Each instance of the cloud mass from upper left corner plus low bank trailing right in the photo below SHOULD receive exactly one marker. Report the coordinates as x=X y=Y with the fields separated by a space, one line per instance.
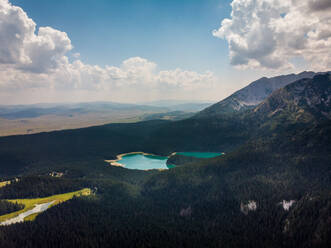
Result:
x=31 y=58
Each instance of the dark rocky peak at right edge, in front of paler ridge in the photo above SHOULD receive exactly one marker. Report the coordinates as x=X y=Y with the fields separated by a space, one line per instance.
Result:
x=303 y=100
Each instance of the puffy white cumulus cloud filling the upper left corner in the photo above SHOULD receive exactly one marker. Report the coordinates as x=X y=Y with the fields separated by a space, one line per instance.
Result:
x=23 y=48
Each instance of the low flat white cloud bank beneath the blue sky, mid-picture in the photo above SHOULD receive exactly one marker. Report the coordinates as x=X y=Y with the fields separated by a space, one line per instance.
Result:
x=133 y=73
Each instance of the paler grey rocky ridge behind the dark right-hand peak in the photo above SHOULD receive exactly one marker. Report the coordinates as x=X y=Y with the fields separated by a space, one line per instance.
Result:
x=253 y=94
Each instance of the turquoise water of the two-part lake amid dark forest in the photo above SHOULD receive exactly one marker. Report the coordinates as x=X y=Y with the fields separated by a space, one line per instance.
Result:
x=148 y=162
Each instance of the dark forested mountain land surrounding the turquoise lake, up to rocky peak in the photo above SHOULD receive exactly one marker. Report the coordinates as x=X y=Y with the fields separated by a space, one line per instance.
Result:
x=272 y=188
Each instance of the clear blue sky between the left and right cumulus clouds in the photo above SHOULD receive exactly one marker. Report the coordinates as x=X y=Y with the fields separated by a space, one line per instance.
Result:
x=171 y=33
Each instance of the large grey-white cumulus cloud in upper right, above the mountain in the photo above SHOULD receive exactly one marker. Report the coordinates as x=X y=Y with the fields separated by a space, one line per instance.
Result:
x=271 y=33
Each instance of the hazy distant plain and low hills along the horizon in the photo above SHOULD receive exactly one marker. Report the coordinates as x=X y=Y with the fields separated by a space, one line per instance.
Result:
x=34 y=118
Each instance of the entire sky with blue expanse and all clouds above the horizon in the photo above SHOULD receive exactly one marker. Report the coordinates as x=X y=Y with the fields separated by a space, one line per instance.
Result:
x=147 y=50
